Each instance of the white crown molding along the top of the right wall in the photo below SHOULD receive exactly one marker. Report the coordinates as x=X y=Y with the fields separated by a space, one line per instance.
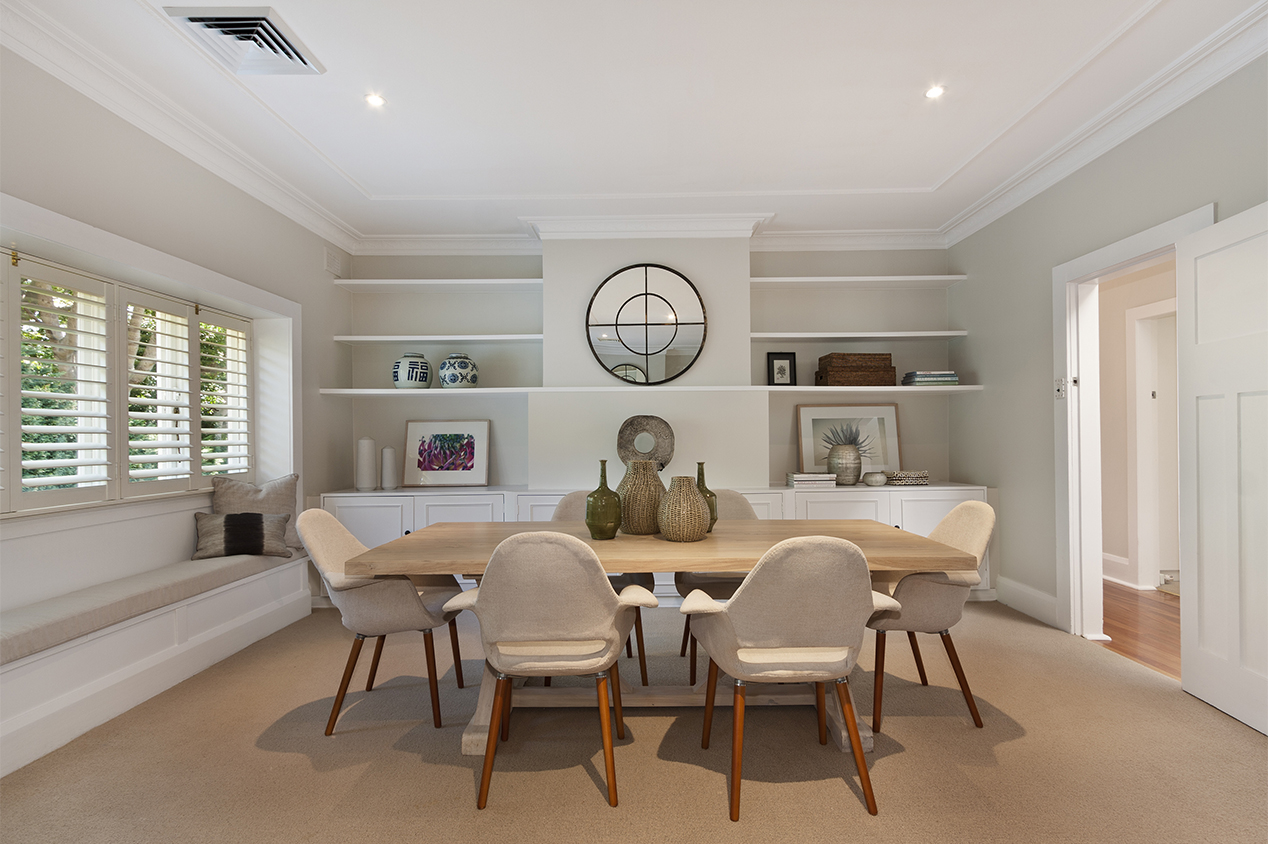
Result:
x=1213 y=61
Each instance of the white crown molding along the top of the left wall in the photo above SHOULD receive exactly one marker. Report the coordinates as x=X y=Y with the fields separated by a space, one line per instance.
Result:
x=78 y=64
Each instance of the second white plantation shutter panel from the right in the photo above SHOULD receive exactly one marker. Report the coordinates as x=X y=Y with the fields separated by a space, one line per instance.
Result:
x=158 y=387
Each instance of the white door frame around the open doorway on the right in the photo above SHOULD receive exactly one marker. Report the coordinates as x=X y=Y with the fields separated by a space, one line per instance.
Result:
x=1077 y=414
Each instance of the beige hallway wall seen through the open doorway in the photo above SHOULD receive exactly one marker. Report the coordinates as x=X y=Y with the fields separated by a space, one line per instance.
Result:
x=1116 y=297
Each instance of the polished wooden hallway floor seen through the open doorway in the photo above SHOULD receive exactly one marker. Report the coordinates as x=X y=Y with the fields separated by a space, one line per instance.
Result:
x=1144 y=627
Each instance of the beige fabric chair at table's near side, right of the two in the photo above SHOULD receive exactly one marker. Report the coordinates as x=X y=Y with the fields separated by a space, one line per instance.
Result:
x=798 y=618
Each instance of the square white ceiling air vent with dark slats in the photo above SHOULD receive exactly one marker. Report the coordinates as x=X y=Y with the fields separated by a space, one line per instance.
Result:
x=248 y=40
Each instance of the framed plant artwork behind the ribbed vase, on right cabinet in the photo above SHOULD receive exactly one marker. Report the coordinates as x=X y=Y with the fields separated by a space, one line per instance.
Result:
x=872 y=428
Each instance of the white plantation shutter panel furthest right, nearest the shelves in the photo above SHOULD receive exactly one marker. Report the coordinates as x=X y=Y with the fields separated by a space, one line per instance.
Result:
x=225 y=374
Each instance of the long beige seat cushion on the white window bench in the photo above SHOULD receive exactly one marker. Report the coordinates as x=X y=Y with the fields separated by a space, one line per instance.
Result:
x=45 y=624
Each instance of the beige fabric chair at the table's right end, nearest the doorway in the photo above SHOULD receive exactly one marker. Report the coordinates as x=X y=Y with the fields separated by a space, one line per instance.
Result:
x=934 y=601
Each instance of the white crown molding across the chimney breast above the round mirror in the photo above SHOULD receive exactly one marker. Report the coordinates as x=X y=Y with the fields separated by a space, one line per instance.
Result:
x=638 y=226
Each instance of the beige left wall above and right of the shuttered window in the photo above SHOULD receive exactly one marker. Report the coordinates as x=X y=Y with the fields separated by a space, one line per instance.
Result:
x=63 y=153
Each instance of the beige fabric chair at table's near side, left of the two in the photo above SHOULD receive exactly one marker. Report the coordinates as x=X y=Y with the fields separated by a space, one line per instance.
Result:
x=547 y=609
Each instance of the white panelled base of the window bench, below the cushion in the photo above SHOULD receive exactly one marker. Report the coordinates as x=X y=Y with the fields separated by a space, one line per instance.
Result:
x=56 y=695
